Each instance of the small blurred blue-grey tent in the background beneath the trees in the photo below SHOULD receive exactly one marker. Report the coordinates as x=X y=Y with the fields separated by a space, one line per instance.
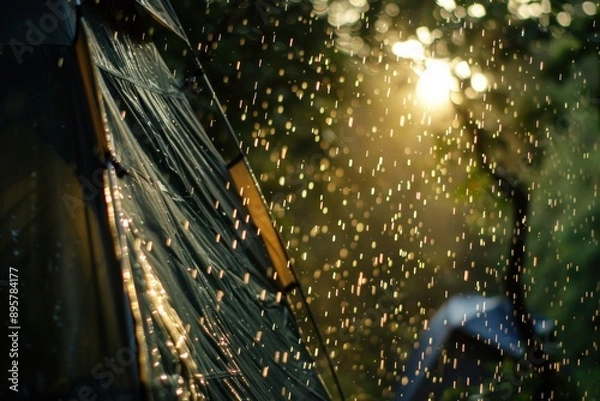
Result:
x=465 y=336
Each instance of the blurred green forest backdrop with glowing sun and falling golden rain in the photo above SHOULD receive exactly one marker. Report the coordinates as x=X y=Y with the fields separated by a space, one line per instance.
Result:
x=357 y=117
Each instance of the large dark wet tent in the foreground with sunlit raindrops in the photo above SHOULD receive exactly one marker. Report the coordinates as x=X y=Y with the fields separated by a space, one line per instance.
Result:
x=137 y=263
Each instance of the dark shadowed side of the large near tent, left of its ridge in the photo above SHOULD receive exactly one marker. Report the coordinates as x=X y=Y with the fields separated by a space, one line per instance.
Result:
x=54 y=231
